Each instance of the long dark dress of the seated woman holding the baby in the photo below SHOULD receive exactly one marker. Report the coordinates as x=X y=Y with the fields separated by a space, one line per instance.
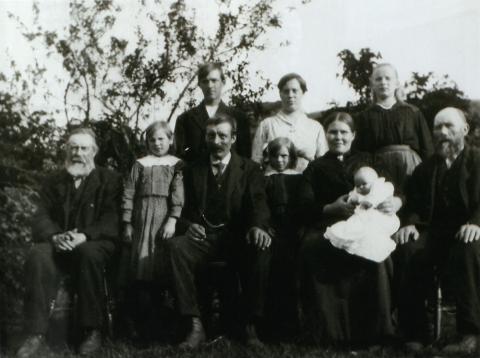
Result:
x=346 y=298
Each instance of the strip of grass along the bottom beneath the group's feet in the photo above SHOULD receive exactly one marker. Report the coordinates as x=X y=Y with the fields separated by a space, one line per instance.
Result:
x=227 y=348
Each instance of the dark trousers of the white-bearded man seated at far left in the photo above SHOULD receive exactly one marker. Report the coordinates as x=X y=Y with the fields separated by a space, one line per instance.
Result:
x=85 y=264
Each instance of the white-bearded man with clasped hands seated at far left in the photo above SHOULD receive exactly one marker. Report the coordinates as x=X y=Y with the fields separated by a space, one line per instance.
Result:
x=74 y=229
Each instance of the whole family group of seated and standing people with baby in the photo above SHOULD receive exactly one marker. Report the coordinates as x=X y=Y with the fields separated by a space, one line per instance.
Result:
x=348 y=219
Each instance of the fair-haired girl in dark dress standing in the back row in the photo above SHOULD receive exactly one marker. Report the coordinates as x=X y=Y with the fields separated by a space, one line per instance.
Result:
x=392 y=129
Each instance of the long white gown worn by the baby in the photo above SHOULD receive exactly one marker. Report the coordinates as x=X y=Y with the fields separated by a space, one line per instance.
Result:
x=367 y=232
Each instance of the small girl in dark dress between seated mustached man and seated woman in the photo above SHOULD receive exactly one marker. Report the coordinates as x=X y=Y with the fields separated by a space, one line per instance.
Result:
x=282 y=183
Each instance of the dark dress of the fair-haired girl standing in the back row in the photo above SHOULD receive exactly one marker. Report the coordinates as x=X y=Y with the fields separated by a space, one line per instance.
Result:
x=378 y=129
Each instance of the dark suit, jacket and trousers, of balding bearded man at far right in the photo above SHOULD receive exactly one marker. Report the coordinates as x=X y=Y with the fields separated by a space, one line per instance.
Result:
x=457 y=261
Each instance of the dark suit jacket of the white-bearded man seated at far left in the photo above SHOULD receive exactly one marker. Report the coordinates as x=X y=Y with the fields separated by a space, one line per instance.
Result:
x=98 y=213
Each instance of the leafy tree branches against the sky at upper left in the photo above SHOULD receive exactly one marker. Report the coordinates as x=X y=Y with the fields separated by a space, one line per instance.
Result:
x=111 y=79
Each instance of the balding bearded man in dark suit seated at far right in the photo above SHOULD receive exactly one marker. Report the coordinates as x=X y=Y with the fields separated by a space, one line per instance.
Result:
x=442 y=227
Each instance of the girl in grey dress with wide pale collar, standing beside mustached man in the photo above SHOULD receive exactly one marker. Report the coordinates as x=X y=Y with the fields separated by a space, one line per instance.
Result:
x=152 y=202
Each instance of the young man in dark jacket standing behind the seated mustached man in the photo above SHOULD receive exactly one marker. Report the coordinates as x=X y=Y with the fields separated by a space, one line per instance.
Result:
x=190 y=126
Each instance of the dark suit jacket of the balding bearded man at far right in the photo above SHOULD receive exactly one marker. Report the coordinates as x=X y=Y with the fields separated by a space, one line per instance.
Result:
x=422 y=186
